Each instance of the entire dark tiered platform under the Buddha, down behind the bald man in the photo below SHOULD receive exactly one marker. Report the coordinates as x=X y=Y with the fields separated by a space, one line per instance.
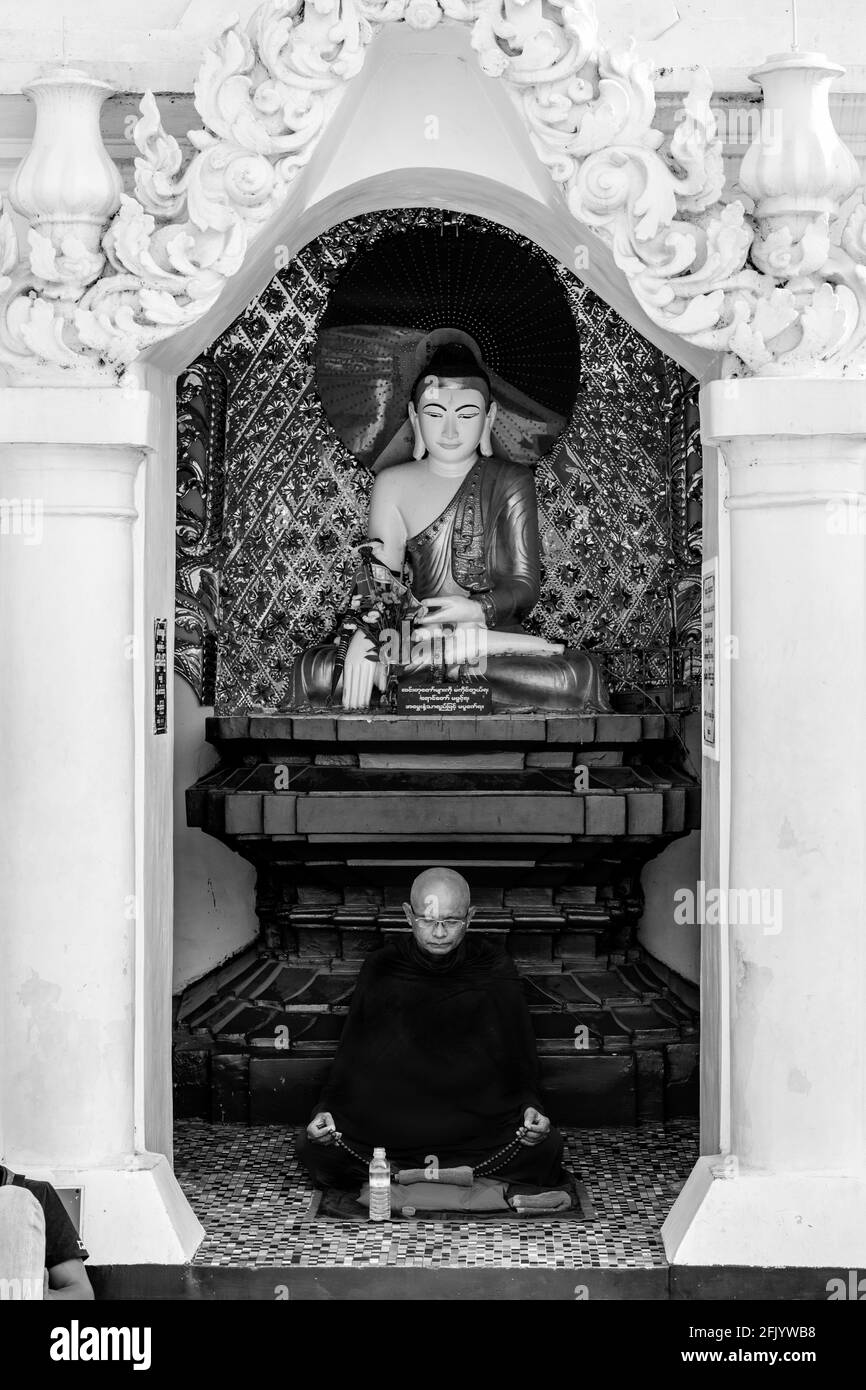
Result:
x=551 y=819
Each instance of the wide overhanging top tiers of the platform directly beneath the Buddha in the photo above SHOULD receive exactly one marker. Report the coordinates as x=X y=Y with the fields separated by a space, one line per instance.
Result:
x=368 y=779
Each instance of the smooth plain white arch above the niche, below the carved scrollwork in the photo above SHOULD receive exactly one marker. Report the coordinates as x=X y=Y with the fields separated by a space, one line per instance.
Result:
x=480 y=162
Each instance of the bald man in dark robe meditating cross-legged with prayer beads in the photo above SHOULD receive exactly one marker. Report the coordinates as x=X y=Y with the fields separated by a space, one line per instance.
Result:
x=437 y=1058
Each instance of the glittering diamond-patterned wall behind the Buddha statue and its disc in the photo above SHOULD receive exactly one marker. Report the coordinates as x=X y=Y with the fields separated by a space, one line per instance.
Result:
x=270 y=505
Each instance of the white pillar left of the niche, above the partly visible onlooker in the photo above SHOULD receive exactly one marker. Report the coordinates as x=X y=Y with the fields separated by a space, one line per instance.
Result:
x=69 y=465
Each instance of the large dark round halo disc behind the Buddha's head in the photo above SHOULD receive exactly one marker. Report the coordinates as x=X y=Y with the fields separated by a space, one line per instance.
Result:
x=398 y=300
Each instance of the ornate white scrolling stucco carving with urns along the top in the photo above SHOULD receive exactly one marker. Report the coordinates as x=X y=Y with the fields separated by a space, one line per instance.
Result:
x=775 y=277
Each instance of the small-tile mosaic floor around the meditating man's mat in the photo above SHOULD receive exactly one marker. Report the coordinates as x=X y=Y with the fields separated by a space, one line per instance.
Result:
x=251 y=1195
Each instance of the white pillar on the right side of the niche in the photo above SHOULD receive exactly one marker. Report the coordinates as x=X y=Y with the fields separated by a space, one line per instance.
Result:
x=793 y=1191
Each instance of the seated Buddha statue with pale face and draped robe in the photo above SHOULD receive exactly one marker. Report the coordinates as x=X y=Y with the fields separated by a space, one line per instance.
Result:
x=465 y=525
